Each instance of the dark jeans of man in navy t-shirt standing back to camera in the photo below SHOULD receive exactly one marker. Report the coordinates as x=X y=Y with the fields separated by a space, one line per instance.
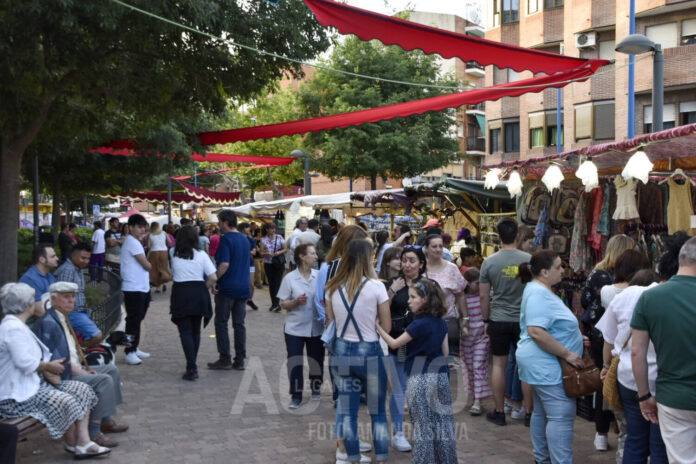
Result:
x=236 y=307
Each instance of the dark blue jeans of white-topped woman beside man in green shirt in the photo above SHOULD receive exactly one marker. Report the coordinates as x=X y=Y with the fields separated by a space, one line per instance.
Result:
x=643 y=438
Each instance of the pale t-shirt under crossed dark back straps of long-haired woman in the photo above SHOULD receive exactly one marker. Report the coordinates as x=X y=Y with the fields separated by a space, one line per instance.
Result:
x=365 y=311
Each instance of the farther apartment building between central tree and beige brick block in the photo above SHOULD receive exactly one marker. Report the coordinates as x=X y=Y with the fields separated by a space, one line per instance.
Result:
x=470 y=119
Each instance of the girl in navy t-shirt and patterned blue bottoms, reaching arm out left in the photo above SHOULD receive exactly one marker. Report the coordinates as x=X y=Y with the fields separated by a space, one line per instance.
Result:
x=428 y=391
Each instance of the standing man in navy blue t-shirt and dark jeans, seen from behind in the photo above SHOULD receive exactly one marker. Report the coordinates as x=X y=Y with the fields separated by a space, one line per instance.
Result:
x=232 y=291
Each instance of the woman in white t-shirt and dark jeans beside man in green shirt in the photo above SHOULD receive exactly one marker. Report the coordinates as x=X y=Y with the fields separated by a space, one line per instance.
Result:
x=643 y=438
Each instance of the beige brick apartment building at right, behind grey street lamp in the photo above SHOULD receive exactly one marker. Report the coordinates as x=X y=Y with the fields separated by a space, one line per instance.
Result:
x=594 y=111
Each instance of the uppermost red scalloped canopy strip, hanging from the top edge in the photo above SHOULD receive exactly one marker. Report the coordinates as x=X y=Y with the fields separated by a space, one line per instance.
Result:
x=409 y=35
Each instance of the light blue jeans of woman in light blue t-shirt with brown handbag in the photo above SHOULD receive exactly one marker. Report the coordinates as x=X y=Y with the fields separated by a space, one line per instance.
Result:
x=552 y=425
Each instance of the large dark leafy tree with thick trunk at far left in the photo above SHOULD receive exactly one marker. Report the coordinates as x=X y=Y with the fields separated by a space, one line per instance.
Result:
x=68 y=58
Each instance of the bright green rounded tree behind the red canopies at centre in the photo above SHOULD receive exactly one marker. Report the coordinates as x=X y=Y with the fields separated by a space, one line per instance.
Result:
x=400 y=147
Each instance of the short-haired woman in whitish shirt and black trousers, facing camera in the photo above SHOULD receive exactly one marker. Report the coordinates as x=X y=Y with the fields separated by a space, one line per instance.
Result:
x=302 y=327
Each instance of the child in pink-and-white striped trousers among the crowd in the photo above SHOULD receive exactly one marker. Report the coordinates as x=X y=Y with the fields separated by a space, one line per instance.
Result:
x=474 y=347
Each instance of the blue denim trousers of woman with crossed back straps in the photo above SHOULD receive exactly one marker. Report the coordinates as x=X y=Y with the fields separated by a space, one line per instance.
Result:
x=354 y=365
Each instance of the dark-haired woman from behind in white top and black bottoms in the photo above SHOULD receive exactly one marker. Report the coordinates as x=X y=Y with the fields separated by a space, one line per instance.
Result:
x=190 y=301
